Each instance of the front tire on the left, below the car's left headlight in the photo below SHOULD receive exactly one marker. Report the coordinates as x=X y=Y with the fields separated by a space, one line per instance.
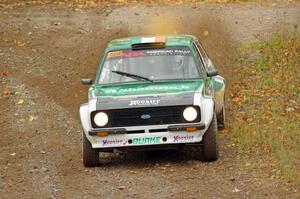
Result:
x=90 y=156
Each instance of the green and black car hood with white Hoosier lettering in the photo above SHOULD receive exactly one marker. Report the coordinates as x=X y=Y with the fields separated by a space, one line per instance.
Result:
x=145 y=94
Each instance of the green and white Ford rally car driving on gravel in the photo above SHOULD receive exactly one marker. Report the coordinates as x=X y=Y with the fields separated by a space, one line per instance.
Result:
x=153 y=92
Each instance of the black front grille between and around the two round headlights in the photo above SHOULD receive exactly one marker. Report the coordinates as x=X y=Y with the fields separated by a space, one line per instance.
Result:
x=158 y=116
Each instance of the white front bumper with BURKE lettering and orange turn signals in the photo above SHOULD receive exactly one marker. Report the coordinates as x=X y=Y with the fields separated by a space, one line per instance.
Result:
x=146 y=135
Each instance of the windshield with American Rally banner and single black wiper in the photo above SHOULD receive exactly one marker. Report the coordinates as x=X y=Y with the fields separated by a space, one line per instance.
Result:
x=170 y=63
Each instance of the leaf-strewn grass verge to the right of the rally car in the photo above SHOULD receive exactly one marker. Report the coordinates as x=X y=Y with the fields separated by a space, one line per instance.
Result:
x=266 y=99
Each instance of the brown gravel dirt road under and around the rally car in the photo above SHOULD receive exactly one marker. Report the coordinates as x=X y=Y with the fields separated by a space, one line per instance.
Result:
x=47 y=49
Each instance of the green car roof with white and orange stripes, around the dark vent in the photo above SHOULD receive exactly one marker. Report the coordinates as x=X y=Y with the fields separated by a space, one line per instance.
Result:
x=170 y=40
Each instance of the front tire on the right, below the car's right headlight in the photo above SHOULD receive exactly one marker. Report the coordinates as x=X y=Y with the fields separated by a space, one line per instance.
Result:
x=210 y=148
